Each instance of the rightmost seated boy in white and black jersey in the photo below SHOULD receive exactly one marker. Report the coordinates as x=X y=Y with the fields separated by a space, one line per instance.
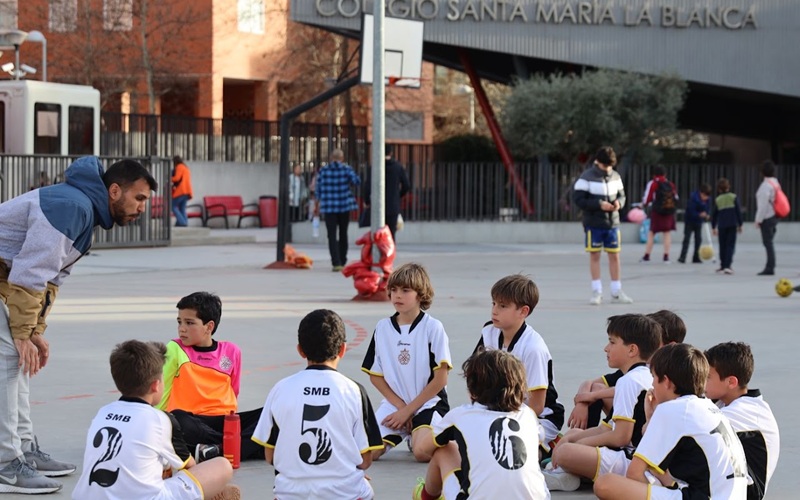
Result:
x=731 y=367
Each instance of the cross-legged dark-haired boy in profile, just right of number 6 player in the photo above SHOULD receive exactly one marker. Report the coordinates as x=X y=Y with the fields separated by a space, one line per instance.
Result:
x=607 y=448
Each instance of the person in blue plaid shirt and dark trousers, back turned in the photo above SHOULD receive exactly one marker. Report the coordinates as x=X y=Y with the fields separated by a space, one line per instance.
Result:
x=335 y=201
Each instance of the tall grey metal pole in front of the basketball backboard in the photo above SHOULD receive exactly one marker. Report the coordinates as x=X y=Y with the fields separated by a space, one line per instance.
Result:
x=377 y=203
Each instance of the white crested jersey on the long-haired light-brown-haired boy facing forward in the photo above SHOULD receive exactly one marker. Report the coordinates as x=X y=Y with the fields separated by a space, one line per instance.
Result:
x=406 y=356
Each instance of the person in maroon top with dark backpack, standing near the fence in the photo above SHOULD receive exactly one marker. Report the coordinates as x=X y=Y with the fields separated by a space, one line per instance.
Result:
x=661 y=197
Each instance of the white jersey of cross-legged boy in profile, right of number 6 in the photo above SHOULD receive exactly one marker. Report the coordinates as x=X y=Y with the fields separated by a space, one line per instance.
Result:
x=629 y=397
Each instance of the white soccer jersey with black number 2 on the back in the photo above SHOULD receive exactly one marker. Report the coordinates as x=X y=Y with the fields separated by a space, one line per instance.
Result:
x=127 y=448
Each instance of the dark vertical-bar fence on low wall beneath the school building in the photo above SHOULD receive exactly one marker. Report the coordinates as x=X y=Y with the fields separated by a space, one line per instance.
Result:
x=482 y=191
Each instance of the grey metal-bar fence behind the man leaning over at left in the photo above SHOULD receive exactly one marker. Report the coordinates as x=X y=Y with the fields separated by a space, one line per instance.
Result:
x=19 y=174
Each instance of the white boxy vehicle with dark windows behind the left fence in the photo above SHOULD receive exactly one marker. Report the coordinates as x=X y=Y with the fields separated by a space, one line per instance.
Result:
x=49 y=118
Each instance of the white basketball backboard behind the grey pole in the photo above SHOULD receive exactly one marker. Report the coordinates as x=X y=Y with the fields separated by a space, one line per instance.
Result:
x=402 y=66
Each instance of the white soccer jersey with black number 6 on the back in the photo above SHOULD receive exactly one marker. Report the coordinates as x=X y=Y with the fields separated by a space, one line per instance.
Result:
x=499 y=452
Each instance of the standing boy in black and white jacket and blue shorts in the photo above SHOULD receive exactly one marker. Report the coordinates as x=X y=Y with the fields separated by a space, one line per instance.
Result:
x=599 y=193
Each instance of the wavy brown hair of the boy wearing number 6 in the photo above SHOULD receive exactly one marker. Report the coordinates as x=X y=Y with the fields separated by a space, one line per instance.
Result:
x=496 y=379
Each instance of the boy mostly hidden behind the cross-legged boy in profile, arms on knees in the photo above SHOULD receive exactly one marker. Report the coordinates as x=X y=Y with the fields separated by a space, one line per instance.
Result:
x=595 y=397
